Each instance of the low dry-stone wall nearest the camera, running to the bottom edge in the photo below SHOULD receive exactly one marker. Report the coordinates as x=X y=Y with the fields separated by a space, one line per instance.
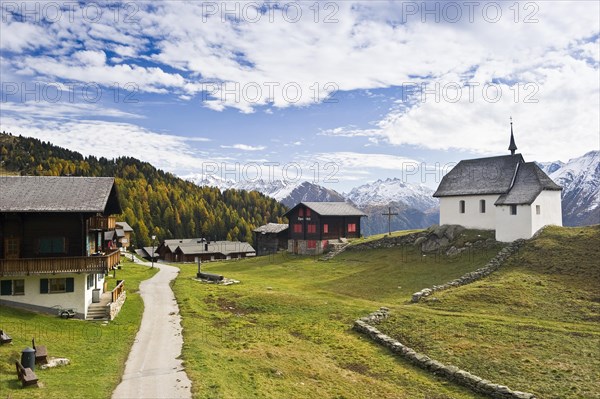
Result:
x=451 y=373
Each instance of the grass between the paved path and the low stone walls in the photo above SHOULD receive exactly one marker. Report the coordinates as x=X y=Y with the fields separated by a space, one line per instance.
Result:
x=285 y=331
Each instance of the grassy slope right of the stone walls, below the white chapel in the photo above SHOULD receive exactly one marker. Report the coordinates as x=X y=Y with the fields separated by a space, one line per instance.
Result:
x=533 y=325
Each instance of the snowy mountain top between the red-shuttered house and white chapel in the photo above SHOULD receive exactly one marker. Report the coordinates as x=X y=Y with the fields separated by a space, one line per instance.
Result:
x=383 y=192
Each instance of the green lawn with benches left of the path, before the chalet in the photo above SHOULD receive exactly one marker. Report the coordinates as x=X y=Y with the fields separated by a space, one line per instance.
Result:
x=97 y=352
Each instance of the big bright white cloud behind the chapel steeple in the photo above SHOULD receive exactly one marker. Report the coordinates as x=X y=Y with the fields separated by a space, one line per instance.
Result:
x=559 y=105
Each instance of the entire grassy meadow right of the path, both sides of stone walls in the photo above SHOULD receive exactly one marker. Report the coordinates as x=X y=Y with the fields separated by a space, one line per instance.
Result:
x=285 y=330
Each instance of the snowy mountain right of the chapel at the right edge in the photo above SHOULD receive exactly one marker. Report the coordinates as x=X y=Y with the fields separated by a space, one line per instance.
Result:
x=580 y=180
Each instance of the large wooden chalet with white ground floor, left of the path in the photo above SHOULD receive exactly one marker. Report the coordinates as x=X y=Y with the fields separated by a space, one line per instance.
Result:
x=53 y=253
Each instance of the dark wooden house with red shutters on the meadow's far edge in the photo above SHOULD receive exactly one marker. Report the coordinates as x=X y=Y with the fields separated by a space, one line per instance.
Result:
x=314 y=224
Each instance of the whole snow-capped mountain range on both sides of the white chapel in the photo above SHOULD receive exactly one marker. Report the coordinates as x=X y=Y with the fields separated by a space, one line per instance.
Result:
x=414 y=203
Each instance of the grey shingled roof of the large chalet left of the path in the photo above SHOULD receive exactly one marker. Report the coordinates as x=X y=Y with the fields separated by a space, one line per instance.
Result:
x=58 y=194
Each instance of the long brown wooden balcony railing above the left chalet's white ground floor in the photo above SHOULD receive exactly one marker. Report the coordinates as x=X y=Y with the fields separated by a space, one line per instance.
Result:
x=76 y=264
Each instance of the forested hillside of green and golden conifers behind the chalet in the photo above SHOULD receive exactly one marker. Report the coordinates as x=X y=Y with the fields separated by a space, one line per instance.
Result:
x=154 y=202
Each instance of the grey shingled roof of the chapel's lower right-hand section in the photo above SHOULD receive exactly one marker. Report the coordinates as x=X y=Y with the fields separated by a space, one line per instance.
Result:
x=529 y=183
